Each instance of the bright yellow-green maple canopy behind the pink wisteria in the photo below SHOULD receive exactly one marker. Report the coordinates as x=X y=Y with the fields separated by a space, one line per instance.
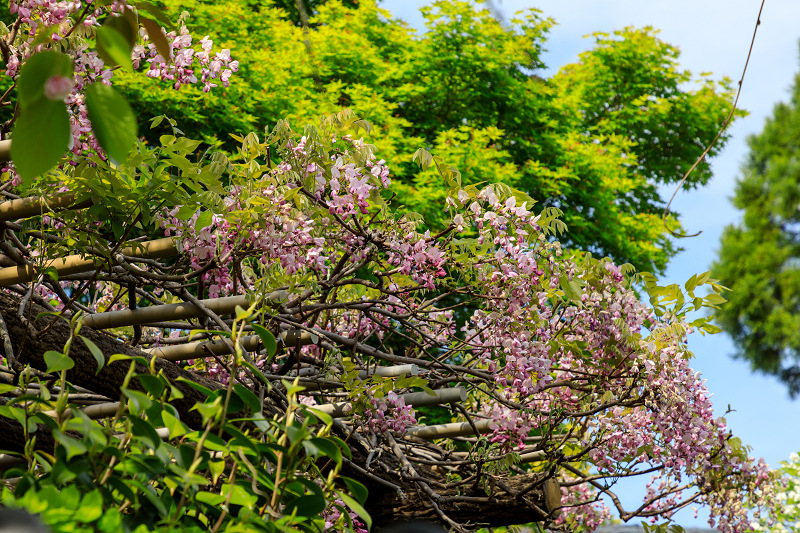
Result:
x=596 y=140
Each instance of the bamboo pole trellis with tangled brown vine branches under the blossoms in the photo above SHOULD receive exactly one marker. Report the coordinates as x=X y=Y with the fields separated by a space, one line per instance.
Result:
x=406 y=495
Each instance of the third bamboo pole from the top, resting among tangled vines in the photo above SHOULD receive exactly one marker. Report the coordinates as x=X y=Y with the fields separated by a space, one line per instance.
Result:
x=179 y=311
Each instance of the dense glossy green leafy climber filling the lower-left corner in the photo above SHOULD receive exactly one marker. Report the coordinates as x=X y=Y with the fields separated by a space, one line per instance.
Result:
x=240 y=471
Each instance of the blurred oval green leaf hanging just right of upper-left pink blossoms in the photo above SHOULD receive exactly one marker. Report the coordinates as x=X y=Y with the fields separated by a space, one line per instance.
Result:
x=112 y=119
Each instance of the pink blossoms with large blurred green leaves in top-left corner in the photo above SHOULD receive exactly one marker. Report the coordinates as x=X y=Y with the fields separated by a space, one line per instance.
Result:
x=61 y=58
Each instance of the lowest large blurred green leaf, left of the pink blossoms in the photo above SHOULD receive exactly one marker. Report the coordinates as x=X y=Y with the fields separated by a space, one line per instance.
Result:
x=40 y=138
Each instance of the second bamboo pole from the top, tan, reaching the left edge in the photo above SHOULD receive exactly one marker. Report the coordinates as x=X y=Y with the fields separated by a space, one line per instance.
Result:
x=74 y=264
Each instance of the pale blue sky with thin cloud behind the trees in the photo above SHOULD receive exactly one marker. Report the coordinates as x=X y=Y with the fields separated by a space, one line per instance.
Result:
x=713 y=35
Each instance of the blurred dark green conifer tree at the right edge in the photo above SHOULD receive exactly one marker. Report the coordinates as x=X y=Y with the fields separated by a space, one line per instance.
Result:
x=759 y=257
